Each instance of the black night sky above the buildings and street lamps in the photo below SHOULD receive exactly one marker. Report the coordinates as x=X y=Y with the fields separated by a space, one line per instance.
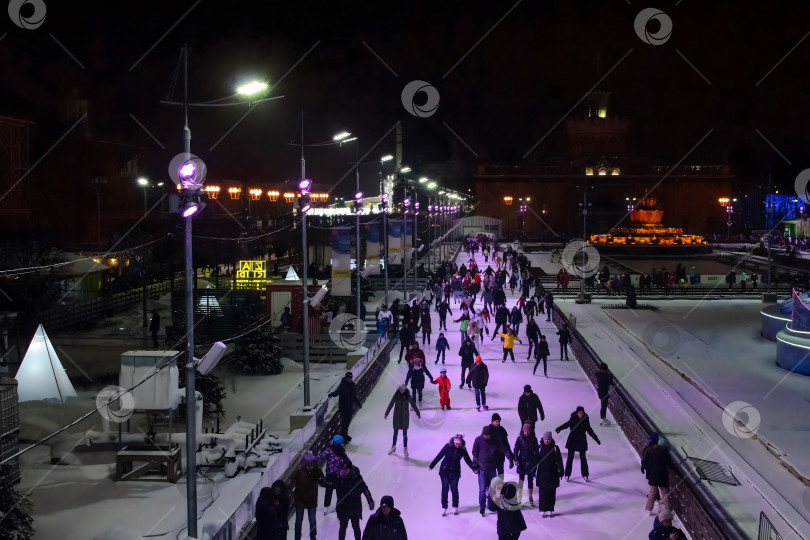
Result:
x=505 y=78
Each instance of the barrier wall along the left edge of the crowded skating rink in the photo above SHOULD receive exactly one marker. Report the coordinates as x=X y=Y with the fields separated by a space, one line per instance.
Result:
x=314 y=436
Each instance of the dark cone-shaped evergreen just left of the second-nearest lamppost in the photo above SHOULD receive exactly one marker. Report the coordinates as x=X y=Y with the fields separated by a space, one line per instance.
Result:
x=257 y=351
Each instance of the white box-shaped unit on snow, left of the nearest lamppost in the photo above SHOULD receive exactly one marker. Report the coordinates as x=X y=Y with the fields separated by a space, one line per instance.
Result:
x=158 y=391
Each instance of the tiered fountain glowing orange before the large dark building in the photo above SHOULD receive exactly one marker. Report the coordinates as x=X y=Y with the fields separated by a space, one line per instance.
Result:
x=646 y=229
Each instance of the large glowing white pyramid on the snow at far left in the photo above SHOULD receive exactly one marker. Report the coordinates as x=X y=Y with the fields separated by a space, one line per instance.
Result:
x=41 y=375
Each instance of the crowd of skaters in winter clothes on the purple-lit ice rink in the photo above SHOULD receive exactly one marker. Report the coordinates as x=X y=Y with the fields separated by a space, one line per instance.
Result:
x=539 y=460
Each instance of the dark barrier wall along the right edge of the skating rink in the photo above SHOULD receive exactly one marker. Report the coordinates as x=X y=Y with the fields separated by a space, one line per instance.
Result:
x=700 y=517
